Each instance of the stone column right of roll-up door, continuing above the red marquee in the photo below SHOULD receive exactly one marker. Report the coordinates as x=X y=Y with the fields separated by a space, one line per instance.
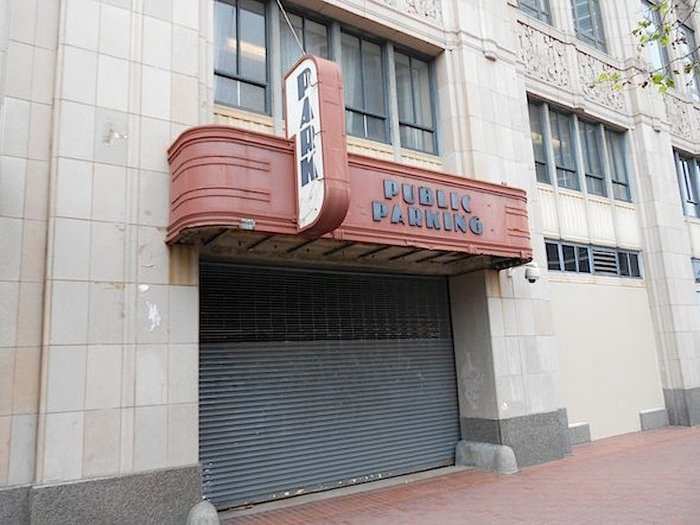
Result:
x=506 y=353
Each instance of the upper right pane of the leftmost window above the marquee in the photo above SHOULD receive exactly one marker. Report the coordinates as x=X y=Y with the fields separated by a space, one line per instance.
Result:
x=253 y=53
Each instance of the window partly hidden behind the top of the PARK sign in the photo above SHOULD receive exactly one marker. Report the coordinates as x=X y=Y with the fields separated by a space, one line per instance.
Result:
x=313 y=36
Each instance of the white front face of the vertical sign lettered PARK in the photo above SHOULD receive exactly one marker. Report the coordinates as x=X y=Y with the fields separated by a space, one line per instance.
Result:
x=302 y=95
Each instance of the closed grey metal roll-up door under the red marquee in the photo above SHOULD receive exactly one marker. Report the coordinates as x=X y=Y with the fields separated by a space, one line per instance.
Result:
x=311 y=380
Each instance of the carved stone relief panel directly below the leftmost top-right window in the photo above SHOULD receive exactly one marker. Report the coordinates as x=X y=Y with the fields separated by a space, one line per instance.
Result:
x=544 y=56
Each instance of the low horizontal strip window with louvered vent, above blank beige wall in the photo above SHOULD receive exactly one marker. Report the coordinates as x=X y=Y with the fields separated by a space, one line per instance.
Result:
x=569 y=257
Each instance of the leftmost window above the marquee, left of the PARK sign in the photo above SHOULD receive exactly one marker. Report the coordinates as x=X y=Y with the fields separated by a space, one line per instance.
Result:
x=240 y=62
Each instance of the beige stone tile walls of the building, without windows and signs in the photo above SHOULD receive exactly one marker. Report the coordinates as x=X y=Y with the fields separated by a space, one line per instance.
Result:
x=99 y=317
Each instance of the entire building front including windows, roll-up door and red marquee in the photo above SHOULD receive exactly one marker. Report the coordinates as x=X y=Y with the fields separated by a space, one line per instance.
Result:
x=142 y=367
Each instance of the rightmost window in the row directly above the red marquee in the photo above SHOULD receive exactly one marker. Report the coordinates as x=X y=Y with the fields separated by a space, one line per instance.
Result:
x=416 y=121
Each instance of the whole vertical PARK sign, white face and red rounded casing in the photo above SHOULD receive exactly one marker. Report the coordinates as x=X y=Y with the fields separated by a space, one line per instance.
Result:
x=315 y=120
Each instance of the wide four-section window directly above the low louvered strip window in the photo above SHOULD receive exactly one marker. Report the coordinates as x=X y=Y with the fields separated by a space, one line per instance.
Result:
x=603 y=153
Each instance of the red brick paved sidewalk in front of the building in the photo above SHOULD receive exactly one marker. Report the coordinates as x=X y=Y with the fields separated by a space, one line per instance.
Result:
x=651 y=477
